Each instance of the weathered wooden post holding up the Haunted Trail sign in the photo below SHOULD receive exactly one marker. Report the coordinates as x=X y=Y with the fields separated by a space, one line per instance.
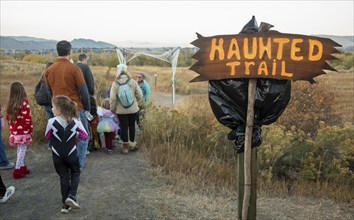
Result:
x=248 y=163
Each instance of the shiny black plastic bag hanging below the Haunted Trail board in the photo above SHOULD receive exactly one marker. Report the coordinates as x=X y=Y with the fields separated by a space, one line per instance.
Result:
x=228 y=99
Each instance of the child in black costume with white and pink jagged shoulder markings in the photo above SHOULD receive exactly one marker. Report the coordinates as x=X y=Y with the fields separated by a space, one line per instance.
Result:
x=63 y=131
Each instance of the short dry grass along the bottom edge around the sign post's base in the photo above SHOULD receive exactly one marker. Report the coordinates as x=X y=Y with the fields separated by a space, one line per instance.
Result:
x=223 y=205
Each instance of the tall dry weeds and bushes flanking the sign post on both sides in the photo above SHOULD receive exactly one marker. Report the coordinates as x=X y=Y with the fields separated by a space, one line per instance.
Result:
x=190 y=142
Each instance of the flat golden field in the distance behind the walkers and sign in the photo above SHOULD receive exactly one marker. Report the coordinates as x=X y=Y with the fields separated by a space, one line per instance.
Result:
x=341 y=83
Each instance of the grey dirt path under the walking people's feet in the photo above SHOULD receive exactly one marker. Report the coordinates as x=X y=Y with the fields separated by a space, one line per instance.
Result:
x=111 y=186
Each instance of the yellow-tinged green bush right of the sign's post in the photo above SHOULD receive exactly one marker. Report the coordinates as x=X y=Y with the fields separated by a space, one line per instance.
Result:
x=292 y=155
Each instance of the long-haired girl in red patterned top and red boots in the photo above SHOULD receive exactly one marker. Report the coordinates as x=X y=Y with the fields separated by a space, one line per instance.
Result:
x=18 y=115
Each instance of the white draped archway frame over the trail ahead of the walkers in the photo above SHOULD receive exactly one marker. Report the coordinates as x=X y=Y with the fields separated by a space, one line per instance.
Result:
x=170 y=56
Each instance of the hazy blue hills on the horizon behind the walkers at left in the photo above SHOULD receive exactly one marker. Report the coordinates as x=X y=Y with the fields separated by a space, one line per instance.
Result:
x=32 y=43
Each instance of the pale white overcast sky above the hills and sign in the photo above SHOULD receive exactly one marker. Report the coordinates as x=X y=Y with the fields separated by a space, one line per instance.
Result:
x=168 y=23
